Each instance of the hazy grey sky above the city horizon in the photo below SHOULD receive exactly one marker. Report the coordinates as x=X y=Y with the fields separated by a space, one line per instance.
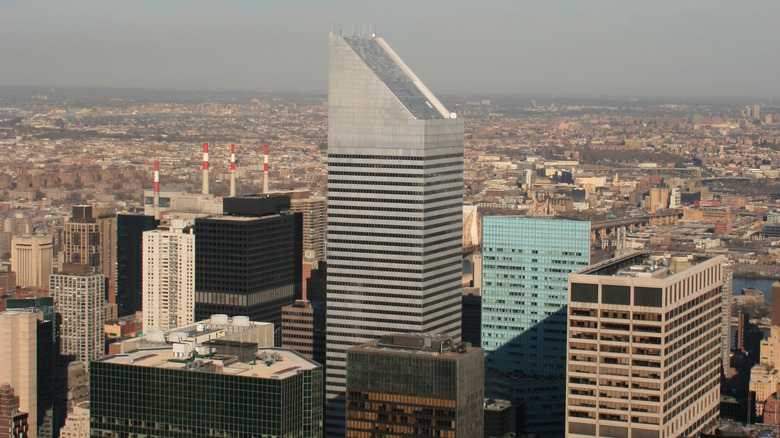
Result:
x=671 y=48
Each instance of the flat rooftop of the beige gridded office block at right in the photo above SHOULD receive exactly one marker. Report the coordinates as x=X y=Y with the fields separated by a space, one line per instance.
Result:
x=647 y=265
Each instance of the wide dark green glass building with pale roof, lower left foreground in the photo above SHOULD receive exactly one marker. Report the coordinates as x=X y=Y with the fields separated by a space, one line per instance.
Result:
x=151 y=393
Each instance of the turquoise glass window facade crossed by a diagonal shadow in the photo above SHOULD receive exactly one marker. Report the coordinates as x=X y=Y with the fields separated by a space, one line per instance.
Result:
x=525 y=268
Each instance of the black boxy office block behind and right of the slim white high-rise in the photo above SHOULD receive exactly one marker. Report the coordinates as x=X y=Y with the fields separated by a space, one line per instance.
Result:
x=249 y=260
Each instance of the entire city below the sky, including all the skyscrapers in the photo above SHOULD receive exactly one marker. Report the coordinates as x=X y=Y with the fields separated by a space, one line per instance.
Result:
x=384 y=261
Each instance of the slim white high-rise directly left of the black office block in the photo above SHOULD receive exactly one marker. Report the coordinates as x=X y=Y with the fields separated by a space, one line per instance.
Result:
x=168 y=277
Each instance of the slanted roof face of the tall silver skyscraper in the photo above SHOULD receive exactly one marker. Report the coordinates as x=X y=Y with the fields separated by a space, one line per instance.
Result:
x=398 y=78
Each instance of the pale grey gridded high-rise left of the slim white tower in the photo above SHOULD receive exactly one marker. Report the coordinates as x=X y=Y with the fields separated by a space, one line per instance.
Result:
x=79 y=300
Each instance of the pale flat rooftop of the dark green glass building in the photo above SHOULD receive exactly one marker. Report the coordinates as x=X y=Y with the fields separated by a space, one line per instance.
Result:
x=271 y=363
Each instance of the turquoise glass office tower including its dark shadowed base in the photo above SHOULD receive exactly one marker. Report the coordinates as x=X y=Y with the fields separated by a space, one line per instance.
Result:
x=525 y=267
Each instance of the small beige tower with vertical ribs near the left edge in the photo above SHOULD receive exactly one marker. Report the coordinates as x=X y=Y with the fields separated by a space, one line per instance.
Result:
x=31 y=260
